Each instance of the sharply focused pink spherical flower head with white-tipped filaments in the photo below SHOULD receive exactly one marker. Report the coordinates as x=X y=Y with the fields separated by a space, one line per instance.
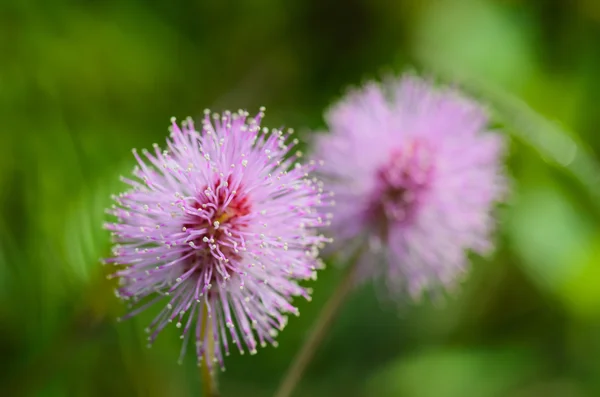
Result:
x=220 y=227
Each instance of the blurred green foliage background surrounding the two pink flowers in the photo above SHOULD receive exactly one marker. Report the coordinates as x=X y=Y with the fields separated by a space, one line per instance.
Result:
x=82 y=82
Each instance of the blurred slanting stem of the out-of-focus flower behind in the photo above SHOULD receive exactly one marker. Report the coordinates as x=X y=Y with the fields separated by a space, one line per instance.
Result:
x=317 y=334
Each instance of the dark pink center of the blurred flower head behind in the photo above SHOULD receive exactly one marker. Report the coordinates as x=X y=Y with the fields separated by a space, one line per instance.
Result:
x=401 y=183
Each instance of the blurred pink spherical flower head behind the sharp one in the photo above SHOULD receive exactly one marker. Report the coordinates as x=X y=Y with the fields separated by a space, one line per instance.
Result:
x=415 y=171
